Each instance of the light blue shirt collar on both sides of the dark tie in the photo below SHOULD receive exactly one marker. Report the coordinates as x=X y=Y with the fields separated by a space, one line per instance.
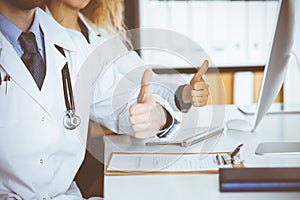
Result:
x=11 y=32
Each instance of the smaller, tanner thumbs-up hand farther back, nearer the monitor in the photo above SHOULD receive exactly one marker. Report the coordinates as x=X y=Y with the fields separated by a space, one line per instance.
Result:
x=197 y=91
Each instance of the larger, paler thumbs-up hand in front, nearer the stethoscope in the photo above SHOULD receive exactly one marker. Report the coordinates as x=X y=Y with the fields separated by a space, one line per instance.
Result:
x=147 y=117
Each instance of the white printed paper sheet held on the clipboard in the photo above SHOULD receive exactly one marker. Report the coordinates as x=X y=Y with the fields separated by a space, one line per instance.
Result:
x=141 y=162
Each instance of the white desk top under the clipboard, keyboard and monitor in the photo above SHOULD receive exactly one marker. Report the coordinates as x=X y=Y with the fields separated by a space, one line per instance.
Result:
x=191 y=187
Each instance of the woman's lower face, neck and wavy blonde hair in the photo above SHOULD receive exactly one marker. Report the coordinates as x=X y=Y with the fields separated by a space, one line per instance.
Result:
x=93 y=18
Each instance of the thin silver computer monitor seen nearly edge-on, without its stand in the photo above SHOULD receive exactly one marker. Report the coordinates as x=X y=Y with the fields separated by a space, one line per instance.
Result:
x=278 y=59
